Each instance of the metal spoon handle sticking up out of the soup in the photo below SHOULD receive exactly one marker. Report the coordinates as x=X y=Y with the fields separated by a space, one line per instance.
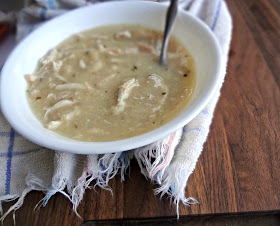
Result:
x=170 y=17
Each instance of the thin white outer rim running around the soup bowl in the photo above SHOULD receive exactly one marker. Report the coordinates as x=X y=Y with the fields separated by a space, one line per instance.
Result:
x=83 y=147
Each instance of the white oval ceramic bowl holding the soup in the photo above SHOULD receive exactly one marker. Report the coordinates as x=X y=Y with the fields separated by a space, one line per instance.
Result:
x=192 y=33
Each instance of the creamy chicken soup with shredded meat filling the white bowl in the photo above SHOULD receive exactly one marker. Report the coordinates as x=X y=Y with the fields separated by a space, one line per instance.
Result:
x=106 y=84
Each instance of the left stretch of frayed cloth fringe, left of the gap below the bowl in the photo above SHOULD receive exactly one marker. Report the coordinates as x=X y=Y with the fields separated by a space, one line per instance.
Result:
x=106 y=168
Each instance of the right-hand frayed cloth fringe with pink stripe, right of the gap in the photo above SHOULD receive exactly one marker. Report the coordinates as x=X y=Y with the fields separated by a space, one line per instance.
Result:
x=155 y=159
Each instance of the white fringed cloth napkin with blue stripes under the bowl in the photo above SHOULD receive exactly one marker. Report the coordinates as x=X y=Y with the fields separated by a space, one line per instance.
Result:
x=25 y=166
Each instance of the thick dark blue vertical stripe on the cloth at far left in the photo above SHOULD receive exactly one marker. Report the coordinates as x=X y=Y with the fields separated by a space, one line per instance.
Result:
x=9 y=162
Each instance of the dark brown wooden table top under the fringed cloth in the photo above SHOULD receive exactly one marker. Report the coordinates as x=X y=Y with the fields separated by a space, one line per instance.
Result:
x=237 y=177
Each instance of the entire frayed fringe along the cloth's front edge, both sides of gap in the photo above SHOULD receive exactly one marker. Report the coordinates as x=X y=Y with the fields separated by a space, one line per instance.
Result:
x=153 y=160
